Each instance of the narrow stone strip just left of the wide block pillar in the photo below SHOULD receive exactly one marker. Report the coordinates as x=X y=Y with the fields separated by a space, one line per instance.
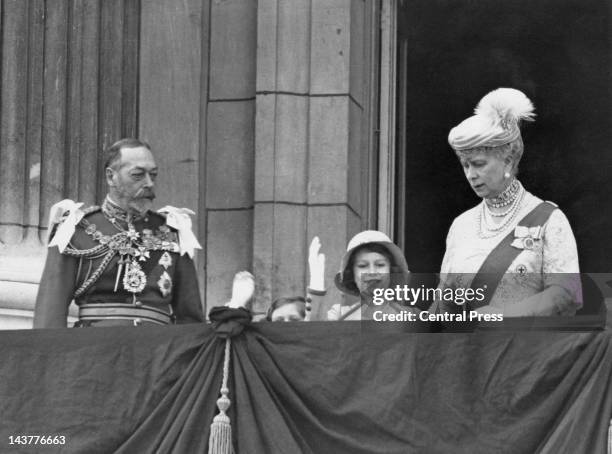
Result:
x=230 y=127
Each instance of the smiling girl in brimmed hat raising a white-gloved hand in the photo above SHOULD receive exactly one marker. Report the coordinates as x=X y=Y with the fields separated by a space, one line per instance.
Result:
x=371 y=264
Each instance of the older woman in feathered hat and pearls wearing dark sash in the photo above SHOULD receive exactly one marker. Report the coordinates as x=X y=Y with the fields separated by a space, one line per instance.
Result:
x=519 y=250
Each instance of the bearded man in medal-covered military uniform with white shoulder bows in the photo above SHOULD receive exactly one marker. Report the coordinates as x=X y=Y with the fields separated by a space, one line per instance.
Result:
x=121 y=263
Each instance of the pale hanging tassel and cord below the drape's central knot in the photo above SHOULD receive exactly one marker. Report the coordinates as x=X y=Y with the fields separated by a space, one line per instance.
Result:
x=220 y=441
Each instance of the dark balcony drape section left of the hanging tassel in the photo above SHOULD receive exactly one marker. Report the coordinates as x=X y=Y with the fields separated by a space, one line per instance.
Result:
x=110 y=390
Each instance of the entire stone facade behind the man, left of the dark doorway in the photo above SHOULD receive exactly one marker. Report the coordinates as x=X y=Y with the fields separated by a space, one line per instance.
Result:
x=262 y=115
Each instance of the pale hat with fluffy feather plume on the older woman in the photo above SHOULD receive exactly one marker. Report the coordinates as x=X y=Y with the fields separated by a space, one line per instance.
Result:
x=496 y=121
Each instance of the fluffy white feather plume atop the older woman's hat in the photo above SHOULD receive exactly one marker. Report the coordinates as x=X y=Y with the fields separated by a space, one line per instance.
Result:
x=506 y=105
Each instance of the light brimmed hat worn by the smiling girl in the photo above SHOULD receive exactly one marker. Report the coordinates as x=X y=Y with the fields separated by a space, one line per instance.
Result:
x=344 y=279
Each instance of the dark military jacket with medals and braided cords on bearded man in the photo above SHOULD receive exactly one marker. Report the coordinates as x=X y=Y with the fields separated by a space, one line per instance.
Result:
x=110 y=262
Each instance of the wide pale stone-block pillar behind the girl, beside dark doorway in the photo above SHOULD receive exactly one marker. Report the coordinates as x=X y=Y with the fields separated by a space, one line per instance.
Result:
x=313 y=138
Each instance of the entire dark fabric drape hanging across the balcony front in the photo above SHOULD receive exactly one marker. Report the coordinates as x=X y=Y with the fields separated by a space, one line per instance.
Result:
x=314 y=387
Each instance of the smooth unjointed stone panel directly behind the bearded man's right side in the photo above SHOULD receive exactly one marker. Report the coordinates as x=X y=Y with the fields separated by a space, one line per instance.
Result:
x=172 y=93
